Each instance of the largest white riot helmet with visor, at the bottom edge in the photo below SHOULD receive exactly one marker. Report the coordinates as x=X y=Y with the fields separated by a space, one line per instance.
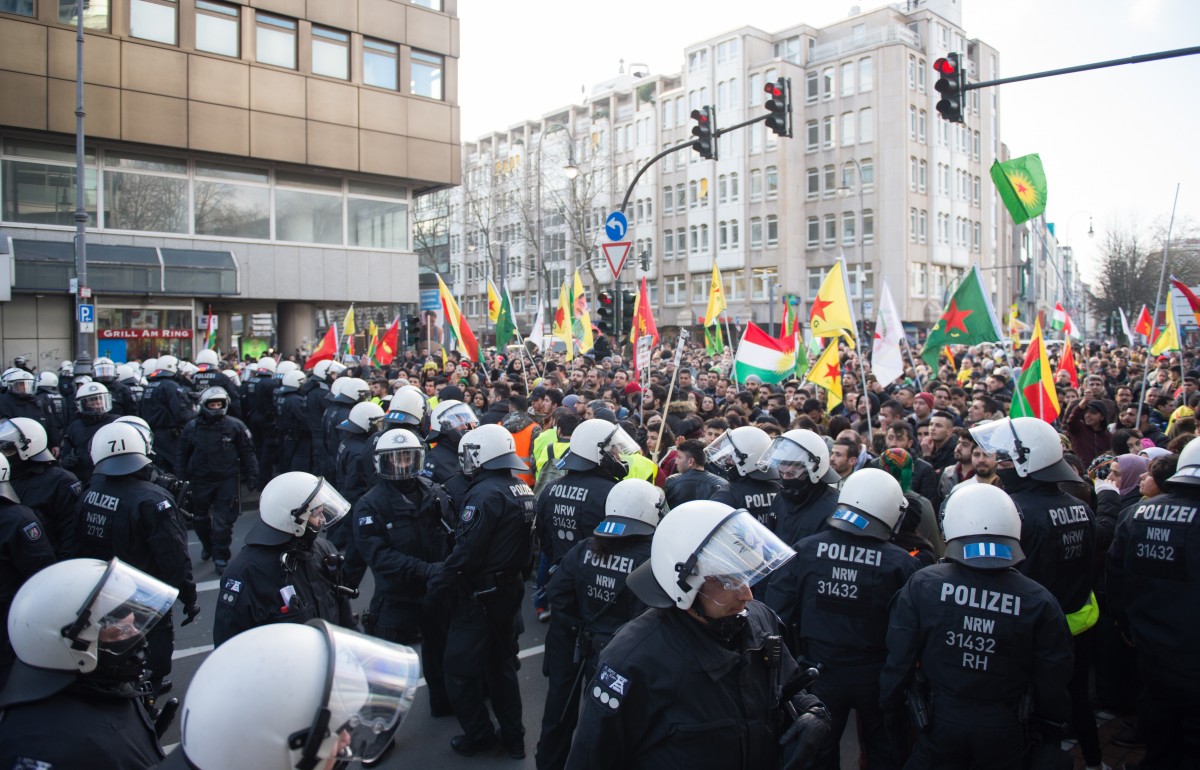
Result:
x=283 y=696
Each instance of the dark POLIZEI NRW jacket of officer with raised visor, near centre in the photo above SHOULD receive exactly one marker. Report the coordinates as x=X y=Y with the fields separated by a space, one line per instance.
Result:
x=571 y=509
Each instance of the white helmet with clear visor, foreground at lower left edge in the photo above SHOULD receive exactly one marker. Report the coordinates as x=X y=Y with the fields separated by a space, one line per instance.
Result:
x=65 y=618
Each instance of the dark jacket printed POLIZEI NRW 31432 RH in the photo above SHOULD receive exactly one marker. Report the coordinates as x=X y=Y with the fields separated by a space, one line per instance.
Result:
x=980 y=636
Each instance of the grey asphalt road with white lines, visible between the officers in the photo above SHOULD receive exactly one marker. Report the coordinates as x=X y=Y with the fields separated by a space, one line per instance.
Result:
x=423 y=742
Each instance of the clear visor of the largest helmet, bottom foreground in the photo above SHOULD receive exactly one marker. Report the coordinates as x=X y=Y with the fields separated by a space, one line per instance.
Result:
x=371 y=688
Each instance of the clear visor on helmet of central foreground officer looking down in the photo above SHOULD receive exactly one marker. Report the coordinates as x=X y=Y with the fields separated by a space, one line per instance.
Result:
x=741 y=552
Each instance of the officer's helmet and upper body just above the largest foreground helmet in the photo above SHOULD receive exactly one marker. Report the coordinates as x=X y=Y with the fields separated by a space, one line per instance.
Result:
x=286 y=574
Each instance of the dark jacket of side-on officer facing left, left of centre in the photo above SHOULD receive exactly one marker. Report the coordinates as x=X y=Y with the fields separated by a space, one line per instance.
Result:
x=494 y=538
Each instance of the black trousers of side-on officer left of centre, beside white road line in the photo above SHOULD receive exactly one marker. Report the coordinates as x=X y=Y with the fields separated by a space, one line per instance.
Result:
x=482 y=648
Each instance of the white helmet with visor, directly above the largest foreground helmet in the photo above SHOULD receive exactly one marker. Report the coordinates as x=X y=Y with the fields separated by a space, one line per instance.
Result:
x=292 y=503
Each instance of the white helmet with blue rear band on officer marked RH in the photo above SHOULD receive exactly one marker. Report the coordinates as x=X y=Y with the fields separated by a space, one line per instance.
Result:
x=982 y=528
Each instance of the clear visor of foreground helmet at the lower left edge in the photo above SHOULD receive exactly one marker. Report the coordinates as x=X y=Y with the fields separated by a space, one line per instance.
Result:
x=124 y=606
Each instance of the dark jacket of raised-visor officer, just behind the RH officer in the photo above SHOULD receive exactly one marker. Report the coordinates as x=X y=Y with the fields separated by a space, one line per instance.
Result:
x=1059 y=540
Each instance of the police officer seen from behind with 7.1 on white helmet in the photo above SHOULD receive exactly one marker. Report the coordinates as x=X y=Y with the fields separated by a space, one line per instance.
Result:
x=123 y=515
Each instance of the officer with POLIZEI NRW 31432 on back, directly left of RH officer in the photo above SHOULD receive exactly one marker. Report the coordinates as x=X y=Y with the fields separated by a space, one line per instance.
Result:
x=835 y=597
